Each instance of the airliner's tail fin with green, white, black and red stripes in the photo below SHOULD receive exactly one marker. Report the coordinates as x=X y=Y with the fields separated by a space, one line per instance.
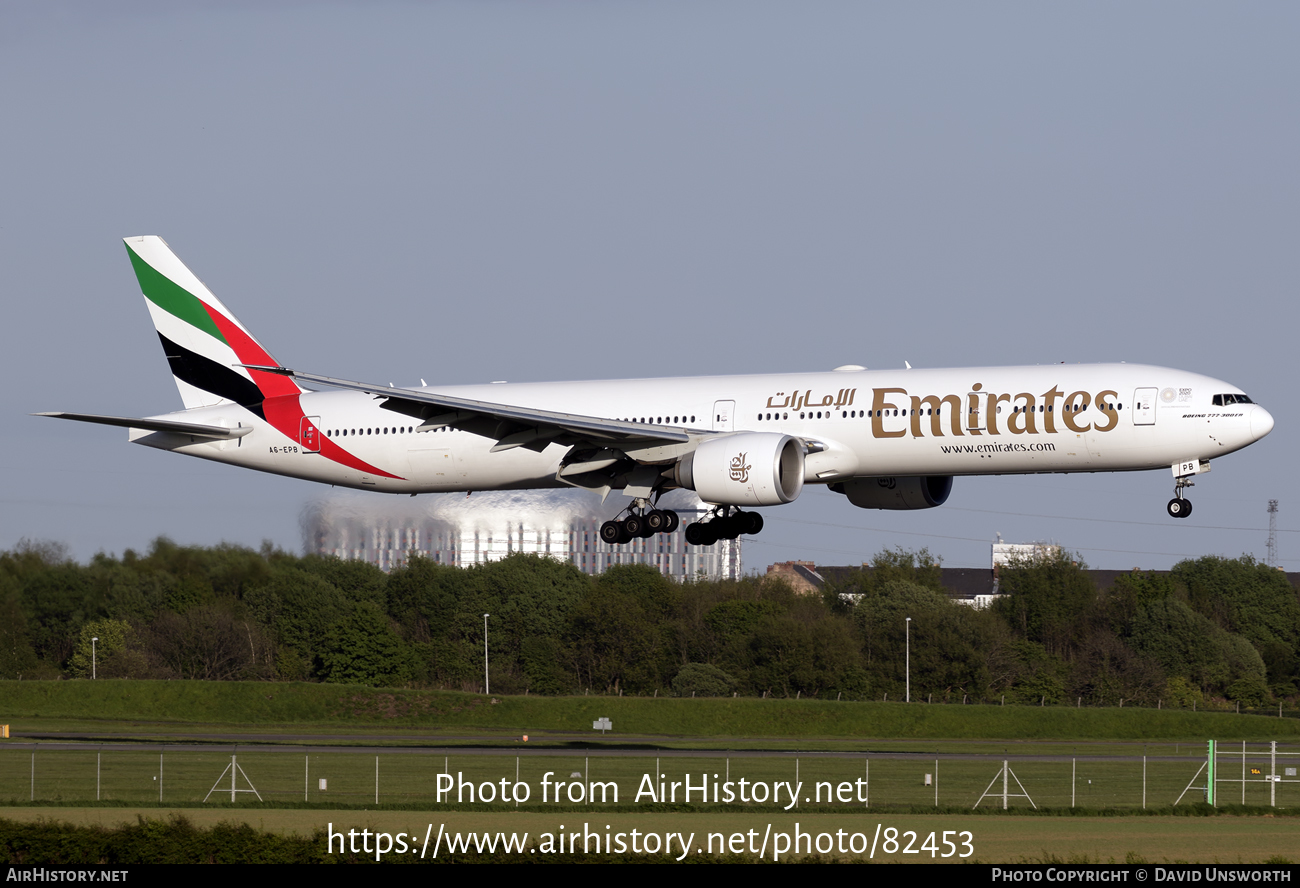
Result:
x=203 y=343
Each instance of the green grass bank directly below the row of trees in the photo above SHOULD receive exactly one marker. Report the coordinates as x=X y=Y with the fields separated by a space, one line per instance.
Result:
x=166 y=708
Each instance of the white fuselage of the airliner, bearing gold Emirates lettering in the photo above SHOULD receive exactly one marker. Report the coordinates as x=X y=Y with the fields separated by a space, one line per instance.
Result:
x=999 y=421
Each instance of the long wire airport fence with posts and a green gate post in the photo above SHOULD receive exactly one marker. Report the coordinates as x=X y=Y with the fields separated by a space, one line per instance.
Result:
x=1156 y=777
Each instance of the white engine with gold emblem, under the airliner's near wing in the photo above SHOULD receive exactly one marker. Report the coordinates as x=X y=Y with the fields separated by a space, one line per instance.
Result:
x=752 y=469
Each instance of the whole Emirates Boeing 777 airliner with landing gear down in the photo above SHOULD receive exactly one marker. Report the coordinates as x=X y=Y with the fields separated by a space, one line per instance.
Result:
x=883 y=439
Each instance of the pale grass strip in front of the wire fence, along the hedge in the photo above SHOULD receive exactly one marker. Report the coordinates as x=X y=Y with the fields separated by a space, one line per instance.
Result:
x=995 y=841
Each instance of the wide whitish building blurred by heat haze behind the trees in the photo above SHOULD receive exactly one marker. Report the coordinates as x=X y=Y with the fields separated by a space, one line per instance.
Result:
x=486 y=527
